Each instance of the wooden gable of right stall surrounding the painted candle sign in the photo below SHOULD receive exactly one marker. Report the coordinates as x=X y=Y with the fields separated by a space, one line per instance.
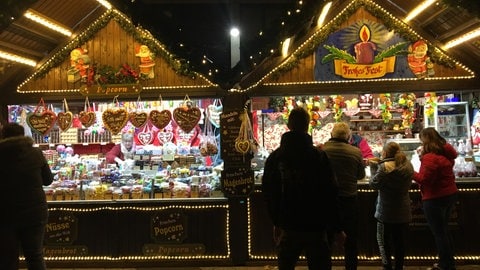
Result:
x=294 y=73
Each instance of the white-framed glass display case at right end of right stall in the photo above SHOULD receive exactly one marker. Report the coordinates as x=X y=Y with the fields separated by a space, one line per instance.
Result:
x=451 y=120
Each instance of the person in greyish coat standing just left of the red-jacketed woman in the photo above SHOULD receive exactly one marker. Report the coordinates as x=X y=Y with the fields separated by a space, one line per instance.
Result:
x=392 y=177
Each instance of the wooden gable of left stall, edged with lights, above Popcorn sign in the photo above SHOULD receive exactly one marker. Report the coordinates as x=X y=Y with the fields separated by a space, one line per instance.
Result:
x=170 y=76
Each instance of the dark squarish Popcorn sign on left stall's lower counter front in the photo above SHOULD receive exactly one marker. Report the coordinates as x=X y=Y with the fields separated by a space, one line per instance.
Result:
x=169 y=226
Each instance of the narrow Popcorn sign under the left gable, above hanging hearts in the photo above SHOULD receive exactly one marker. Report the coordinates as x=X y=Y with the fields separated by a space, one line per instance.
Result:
x=111 y=89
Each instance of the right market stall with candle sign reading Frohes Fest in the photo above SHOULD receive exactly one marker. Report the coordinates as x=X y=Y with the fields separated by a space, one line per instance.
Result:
x=326 y=65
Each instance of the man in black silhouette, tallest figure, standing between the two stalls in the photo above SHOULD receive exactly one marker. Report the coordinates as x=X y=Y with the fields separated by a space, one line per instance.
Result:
x=300 y=190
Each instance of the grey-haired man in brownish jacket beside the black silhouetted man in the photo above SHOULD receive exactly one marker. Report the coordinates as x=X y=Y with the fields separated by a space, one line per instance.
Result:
x=349 y=167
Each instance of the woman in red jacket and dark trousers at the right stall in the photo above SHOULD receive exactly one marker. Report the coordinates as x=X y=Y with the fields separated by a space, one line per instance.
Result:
x=436 y=180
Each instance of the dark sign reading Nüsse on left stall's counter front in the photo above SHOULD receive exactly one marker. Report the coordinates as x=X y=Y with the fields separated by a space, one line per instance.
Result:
x=61 y=229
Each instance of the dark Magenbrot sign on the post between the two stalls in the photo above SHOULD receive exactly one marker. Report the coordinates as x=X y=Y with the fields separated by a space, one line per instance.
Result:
x=237 y=181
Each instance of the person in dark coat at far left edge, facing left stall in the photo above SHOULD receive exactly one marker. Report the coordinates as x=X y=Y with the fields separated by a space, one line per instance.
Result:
x=24 y=171
